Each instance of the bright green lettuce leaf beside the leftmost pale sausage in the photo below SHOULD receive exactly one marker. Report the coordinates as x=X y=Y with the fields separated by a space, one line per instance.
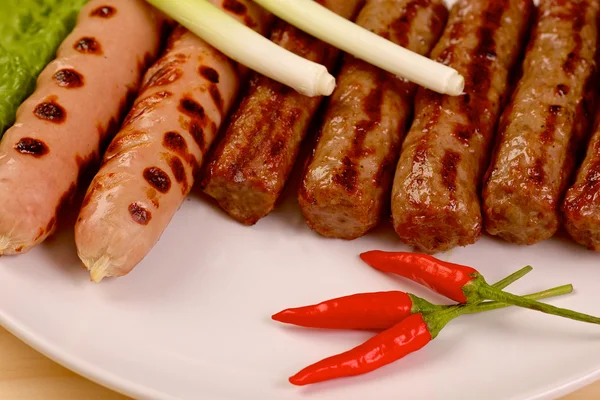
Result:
x=30 y=33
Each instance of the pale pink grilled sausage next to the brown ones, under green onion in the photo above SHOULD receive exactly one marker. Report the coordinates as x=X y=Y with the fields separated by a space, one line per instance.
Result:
x=150 y=165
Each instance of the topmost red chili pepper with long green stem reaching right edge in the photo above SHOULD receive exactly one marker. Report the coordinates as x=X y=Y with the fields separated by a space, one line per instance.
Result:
x=457 y=282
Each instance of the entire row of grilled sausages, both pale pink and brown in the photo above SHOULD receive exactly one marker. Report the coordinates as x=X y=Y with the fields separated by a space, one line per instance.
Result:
x=502 y=157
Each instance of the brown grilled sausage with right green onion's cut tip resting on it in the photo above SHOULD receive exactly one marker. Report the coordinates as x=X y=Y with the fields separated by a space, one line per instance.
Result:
x=435 y=199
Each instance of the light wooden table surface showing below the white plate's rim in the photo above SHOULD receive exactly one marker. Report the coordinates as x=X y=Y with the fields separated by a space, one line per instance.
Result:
x=27 y=375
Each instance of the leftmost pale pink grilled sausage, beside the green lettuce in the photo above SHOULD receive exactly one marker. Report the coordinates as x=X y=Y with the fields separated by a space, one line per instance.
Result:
x=78 y=103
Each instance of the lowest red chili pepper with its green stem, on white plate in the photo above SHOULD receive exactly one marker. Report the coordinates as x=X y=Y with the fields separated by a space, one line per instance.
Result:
x=407 y=336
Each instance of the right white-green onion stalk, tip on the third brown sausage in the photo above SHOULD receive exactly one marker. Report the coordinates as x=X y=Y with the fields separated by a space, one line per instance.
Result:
x=324 y=24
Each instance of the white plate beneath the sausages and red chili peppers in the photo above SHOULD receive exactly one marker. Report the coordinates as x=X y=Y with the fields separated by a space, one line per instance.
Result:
x=193 y=320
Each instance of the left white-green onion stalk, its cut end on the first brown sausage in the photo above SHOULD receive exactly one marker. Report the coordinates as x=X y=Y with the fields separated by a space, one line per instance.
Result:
x=247 y=47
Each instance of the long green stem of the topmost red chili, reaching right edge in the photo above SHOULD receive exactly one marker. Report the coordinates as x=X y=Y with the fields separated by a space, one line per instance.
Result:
x=479 y=288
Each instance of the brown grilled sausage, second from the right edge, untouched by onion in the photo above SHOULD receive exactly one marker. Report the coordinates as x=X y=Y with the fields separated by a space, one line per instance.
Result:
x=544 y=124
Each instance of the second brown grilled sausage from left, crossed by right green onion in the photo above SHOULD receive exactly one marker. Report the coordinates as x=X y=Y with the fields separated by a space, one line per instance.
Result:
x=347 y=184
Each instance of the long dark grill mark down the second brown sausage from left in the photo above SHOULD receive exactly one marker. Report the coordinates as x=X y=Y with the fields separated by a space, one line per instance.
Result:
x=347 y=177
